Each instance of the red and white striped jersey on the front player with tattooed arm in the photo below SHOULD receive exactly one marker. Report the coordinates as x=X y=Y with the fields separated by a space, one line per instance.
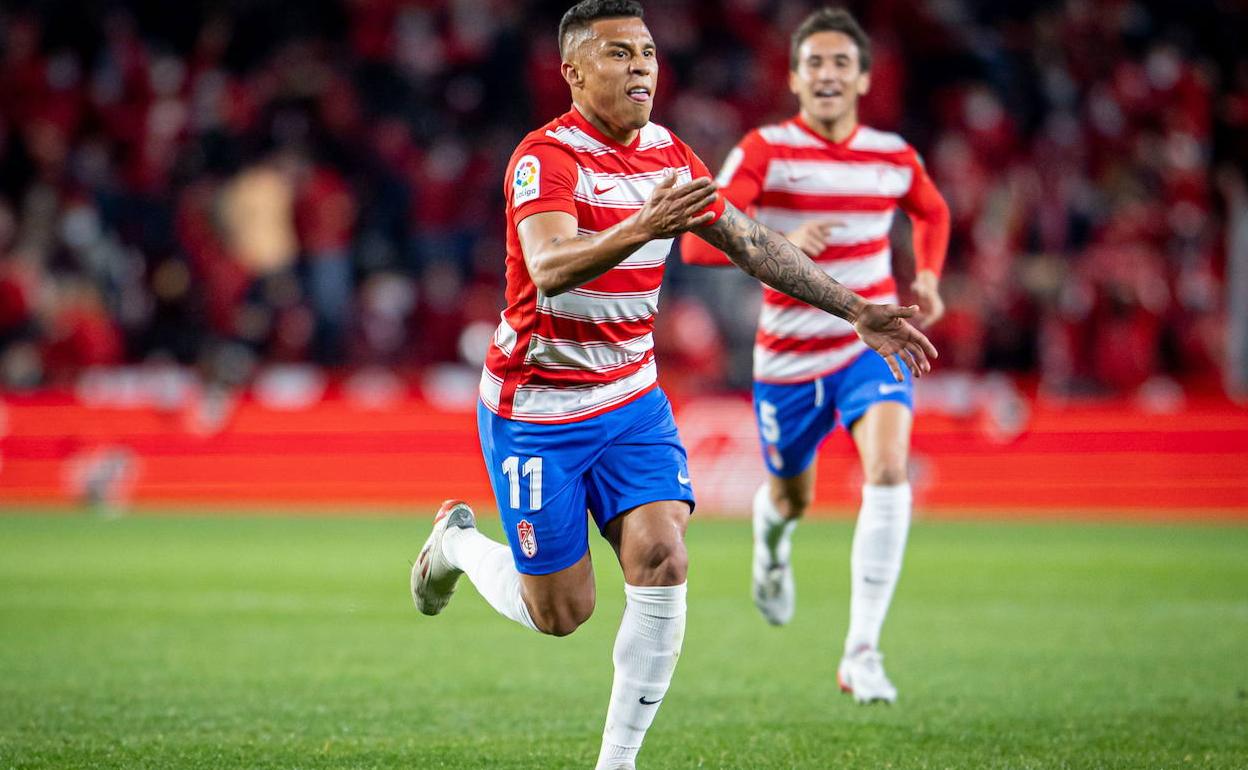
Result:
x=588 y=350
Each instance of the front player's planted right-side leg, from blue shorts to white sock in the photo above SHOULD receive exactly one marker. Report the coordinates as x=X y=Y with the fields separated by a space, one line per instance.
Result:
x=641 y=496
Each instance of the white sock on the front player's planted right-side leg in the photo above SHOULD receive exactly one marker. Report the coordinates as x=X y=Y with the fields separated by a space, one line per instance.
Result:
x=647 y=648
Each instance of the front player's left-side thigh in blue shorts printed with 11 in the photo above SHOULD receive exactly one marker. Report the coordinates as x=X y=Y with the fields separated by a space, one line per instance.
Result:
x=537 y=475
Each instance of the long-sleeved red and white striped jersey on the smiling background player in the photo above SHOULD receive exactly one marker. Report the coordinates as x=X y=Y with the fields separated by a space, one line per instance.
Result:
x=786 y=175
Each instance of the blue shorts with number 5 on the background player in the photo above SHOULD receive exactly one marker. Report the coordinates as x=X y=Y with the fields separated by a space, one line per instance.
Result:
x=796 y=419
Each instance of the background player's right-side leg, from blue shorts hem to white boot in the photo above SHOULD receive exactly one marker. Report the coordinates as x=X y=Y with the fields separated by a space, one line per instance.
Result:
x=879 y=415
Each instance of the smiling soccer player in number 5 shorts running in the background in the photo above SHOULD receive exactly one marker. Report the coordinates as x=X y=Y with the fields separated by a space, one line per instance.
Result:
x=833 y=187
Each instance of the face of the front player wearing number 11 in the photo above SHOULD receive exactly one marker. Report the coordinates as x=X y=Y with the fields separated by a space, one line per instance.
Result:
x=615 y=73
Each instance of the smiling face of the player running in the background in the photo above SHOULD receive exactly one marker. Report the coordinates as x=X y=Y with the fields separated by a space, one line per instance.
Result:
x=829 y=78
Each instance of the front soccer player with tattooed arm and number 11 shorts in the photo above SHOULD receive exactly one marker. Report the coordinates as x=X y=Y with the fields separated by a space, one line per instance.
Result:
x=571 y=419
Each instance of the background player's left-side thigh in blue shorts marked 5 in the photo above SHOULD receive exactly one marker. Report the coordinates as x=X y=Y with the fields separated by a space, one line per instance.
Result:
x=793 y=421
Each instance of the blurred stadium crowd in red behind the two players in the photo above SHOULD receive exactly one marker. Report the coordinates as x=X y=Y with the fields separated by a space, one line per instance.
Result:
x=229 y=185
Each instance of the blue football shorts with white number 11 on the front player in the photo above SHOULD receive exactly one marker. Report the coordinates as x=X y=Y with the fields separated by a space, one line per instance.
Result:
x=547 y=477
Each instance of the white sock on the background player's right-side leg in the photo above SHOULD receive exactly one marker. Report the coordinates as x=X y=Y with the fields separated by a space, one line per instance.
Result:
x=875 y=562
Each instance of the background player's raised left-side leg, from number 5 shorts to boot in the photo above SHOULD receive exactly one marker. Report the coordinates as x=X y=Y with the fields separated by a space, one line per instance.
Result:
x=793 y=420
